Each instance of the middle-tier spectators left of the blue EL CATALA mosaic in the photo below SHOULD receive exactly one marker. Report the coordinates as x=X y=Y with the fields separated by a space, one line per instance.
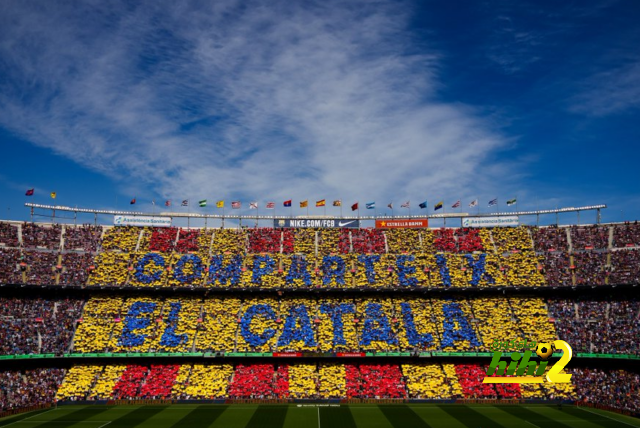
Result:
x=37 y=325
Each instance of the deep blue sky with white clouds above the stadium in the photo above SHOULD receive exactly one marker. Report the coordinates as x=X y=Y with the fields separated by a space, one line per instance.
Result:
x=354 y=100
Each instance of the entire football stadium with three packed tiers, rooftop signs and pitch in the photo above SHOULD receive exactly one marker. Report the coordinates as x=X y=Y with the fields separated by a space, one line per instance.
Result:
x=389 y=326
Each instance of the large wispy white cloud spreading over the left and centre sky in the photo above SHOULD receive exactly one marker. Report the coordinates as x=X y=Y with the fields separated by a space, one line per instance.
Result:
x=244 y=100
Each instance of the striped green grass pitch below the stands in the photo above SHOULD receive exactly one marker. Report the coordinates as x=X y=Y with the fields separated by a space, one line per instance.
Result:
x=294 y=416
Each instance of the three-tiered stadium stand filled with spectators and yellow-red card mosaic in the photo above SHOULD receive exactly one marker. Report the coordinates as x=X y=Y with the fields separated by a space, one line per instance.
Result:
x=231 y=291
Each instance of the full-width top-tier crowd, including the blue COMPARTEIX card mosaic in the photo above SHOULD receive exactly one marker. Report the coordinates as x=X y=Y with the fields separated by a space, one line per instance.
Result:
x=320 y=258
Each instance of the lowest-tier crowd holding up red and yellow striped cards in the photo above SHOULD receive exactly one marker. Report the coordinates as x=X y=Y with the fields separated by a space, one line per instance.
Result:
x=318 y=380
